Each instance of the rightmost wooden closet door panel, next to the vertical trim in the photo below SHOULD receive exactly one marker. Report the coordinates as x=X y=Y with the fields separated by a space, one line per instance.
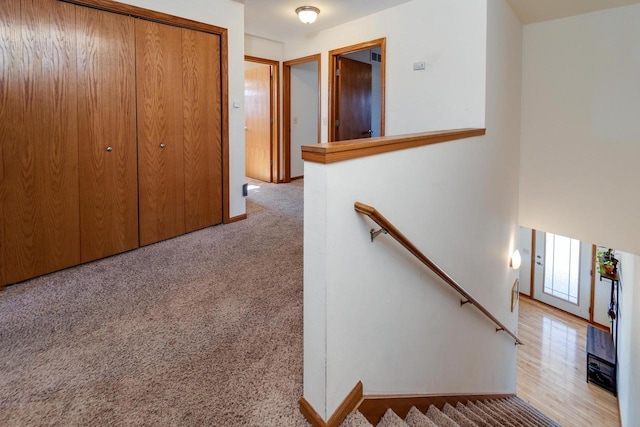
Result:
x=202 y=129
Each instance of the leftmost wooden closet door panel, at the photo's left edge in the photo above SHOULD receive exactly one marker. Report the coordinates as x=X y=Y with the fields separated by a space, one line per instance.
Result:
x=39 y=220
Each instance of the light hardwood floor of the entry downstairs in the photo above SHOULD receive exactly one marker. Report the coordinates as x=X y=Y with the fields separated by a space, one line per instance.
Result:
x=552 y=369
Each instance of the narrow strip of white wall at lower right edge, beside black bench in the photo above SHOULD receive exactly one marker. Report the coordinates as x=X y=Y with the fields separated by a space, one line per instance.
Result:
x=629 y=341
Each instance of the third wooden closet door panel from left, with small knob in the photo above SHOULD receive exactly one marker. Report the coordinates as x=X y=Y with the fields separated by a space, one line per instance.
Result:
x=160 y=131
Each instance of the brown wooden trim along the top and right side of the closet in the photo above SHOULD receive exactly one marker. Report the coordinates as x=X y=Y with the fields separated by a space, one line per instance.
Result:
x=164 y=18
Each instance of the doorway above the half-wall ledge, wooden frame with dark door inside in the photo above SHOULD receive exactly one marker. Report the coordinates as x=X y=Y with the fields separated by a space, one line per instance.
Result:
x=357 y=91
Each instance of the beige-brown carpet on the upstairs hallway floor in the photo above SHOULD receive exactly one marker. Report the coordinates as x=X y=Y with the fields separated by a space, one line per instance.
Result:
x=203 y=329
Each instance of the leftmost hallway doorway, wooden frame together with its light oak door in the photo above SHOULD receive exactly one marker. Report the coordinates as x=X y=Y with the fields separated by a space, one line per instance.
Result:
x=261 y=119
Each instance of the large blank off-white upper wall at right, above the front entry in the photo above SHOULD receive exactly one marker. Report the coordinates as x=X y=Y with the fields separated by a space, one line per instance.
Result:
x=580 y=110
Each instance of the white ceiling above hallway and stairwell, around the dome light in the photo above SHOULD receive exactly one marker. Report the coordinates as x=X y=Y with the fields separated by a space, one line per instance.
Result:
x=276 y=19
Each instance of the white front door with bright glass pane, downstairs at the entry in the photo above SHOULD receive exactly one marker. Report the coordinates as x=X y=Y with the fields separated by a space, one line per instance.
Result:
x=562 y=273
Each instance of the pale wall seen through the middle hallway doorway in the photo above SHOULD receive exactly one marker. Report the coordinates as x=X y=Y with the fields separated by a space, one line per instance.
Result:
x=304 y=112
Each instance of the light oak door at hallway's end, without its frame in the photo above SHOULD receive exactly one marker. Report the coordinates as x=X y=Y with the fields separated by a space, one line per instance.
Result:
x=257 y=103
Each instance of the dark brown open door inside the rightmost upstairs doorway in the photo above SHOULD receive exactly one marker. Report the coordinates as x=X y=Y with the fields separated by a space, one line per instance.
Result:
x=354 y=100
